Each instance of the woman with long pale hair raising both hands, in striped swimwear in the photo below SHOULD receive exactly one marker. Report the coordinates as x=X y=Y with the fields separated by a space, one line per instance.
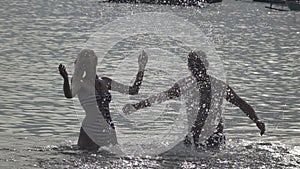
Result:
x=93 y=93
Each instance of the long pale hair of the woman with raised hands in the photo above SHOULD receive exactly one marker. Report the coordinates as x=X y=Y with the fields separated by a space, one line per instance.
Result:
x=85 y=69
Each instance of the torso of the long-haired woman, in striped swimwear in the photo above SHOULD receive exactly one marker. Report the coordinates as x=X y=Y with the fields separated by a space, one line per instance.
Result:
x=97 y=122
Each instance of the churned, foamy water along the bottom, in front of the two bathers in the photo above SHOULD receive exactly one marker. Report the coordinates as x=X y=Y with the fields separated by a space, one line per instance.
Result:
x=65 y=154
